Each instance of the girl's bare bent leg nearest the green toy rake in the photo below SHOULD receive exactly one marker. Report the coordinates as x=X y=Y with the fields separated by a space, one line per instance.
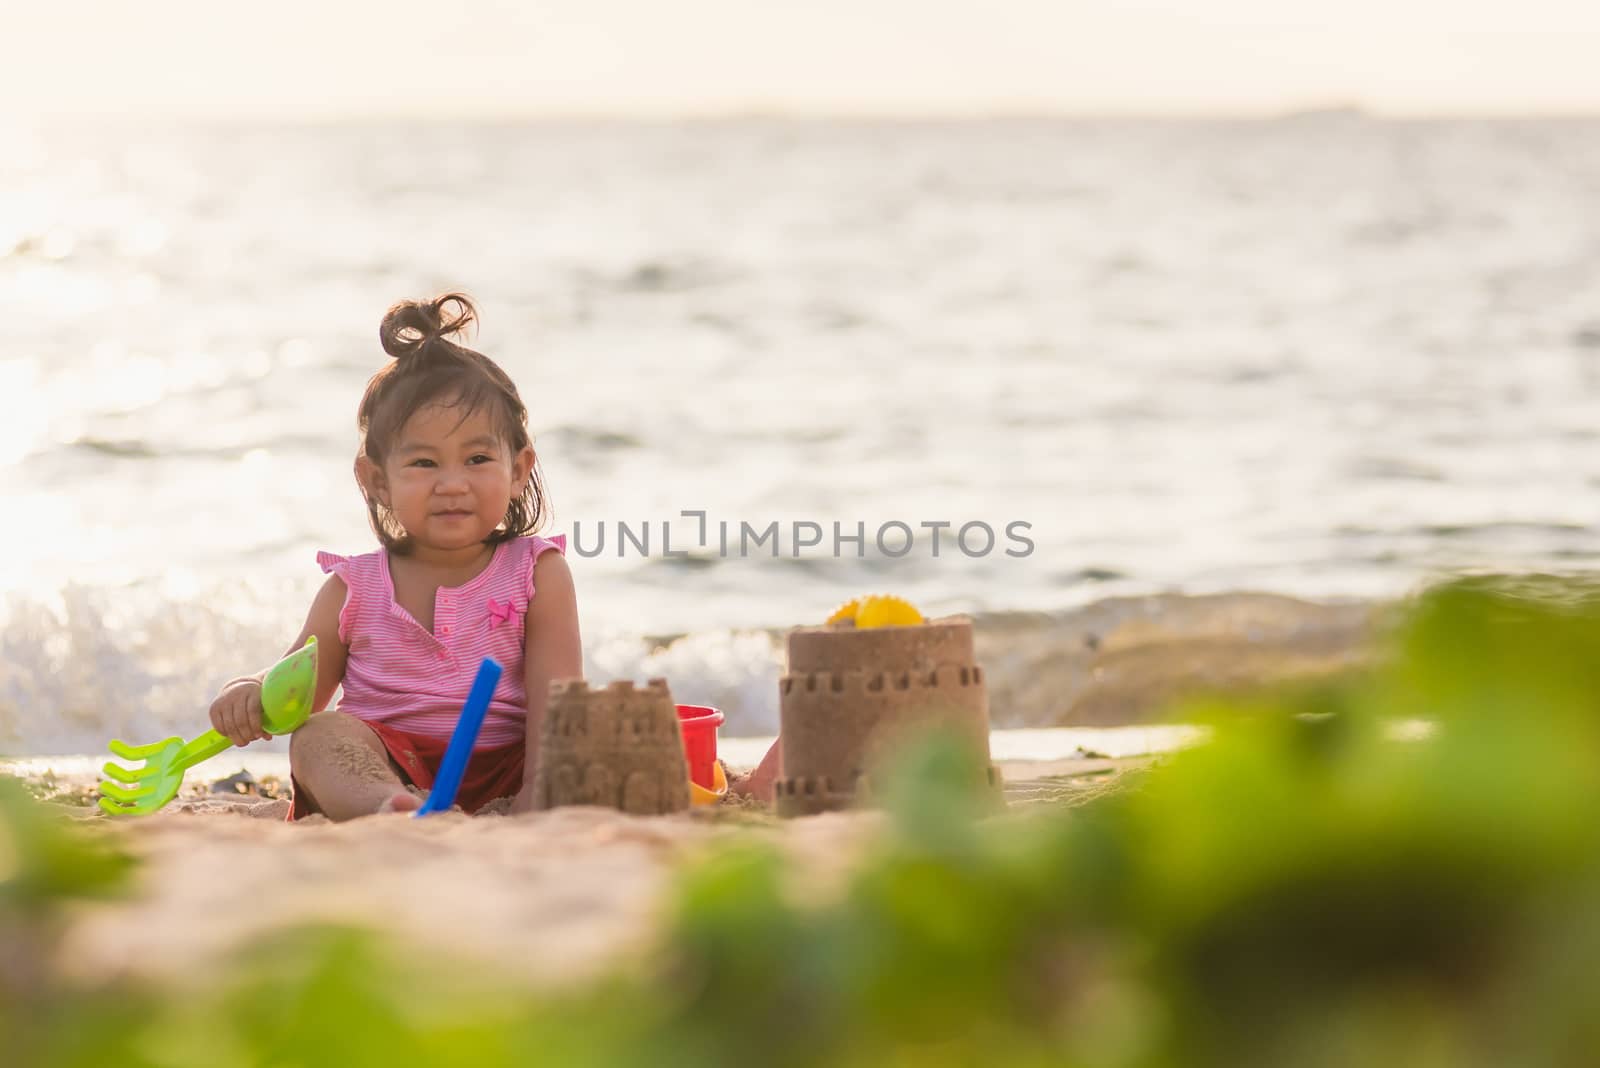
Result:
x=345 y=768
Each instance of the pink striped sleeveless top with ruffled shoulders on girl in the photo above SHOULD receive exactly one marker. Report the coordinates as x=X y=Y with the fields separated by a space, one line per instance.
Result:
x=415 y=680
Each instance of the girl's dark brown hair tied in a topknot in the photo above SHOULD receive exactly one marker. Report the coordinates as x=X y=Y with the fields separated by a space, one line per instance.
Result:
x=433 y=370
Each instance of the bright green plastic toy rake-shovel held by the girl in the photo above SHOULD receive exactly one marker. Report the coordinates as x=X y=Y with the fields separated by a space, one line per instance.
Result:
x=287 y=693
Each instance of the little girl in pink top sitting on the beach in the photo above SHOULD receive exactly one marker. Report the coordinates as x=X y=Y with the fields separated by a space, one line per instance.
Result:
x=454 y=493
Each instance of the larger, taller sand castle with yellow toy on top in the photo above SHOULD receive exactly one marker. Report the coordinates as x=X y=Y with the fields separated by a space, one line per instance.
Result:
x=854 y=693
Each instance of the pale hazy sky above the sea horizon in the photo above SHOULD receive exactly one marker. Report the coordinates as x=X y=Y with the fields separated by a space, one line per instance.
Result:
x=319 y=60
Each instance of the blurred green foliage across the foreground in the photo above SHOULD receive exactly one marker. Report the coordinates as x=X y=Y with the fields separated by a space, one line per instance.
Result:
x=1310 y=888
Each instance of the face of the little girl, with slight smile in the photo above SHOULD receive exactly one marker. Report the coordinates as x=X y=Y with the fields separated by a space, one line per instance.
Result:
x=447 y=480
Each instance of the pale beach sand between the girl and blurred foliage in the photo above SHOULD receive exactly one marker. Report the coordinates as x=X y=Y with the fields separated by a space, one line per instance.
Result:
x=546 y=896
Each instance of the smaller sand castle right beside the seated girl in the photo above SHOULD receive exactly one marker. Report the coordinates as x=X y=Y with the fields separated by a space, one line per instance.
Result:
x=618 y=747
